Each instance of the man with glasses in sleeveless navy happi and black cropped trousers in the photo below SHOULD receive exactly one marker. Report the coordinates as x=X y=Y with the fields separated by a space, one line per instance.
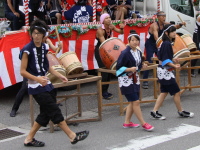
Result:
x=34 y=66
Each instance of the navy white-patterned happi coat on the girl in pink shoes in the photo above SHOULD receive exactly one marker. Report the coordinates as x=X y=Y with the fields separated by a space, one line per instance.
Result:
x=128 y=58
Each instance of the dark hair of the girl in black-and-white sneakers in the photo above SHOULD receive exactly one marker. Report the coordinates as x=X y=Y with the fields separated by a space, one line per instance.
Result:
x=168 y=28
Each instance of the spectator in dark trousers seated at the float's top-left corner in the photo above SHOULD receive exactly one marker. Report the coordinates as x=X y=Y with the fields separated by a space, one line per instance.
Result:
x=13 y=14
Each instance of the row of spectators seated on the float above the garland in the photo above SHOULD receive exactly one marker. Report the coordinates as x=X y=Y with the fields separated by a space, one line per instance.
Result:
x=65 y=11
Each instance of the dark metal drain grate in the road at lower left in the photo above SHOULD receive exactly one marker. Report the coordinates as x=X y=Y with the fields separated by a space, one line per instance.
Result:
x=7 y=133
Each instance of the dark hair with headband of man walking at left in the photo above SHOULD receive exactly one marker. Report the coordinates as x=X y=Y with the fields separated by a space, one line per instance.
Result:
x=39 y=25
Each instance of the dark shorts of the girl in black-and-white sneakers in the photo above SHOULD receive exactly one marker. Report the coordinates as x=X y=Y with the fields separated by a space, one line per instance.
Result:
x=172 y=89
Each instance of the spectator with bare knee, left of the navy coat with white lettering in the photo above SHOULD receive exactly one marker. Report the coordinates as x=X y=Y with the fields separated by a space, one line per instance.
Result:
x=54 y=6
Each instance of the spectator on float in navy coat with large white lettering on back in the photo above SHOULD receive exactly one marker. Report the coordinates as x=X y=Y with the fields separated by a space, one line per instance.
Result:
x=80 y=13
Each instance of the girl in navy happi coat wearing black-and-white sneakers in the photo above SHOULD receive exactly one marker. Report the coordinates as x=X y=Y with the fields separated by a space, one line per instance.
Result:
x=165 y=74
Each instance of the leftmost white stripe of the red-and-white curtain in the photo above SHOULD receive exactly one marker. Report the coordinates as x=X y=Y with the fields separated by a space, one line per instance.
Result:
x=4 y=72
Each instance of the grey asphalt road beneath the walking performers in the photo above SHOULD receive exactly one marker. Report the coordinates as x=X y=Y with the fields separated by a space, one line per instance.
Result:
x=174 y=133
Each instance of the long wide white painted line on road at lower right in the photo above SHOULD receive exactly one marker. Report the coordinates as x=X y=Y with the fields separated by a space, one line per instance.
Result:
x=151 y=140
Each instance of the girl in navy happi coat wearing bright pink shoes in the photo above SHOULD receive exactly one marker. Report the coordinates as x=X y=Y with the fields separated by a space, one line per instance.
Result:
x=129 y=64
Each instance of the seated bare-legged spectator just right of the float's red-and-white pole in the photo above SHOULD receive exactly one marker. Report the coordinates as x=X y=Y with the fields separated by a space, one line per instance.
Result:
x=119 y=9
